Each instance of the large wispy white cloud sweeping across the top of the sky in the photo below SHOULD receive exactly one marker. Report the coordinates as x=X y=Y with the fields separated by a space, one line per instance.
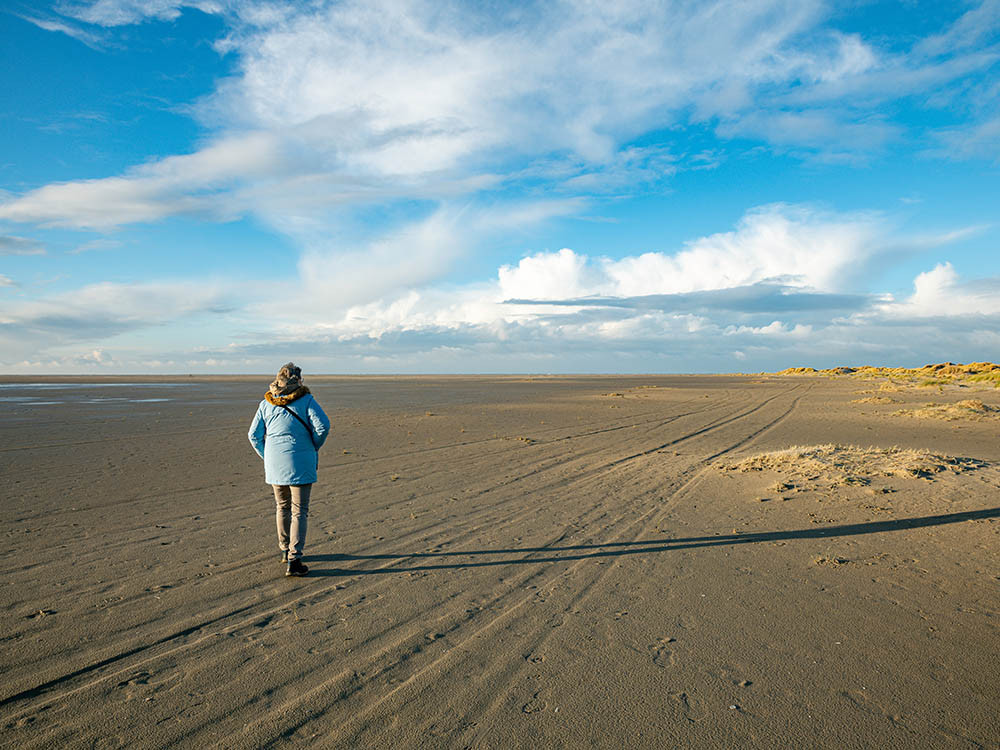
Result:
x=361 y=102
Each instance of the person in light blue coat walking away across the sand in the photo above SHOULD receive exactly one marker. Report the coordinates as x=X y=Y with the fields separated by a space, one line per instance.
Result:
x=287 y=432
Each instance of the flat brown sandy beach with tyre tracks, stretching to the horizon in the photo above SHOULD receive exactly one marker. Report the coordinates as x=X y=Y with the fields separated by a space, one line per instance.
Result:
x=503 y=562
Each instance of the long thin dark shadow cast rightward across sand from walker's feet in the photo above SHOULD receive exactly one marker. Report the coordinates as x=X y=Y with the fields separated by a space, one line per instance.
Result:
x=616 y=549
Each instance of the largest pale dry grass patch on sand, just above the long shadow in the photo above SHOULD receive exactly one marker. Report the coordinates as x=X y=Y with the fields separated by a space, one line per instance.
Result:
x=833 y=464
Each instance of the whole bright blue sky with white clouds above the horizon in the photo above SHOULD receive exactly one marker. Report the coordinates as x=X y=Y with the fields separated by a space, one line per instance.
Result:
x=399 y=186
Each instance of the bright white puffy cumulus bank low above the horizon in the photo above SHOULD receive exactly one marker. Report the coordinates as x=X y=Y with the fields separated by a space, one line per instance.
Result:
x=734 y=287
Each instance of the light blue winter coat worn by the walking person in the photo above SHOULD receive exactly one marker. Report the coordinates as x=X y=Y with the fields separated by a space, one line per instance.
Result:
x=289 y=453
